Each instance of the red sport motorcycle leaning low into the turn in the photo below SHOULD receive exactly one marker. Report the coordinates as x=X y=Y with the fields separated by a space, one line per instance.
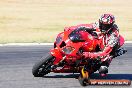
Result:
x=66 y=56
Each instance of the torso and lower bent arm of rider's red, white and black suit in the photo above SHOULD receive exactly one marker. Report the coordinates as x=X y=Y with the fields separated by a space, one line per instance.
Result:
x=108 y=43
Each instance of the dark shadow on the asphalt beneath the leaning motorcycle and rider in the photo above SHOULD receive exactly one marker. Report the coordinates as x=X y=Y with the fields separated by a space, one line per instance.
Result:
x=95 y=76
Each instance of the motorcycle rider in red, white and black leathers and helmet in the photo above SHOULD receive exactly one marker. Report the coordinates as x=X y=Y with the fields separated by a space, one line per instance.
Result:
x=109 y=41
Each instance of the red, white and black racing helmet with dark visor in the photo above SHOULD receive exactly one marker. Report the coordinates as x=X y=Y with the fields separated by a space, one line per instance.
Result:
x=106 y=21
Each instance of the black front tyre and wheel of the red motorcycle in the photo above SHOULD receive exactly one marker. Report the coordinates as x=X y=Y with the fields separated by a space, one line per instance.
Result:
x=43 y=66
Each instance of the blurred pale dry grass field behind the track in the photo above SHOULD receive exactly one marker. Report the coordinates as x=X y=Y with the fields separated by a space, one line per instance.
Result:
x=38 y=21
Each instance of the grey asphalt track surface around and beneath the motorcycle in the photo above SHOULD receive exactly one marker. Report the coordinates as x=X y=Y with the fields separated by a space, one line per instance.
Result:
x=16 y=64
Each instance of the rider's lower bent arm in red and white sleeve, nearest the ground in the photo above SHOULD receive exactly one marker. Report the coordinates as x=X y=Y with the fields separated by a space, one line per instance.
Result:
x=108 y=48
